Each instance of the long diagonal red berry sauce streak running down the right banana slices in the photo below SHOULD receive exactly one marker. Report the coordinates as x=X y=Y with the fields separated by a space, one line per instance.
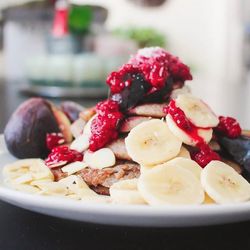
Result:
x=204 y=154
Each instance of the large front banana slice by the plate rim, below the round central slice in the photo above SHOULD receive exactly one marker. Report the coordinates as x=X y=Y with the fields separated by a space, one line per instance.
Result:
x=170 y=185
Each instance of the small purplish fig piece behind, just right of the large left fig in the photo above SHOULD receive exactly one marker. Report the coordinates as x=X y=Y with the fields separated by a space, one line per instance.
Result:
x=71 y=110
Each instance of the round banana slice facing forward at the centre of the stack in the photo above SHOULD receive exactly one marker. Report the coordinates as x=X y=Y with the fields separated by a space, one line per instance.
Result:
x=151 y=143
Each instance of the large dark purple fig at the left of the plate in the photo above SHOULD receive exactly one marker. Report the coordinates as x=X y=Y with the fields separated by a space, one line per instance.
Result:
x=25 y=132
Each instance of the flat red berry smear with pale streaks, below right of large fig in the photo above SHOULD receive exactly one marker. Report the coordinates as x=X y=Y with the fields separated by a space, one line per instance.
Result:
x=62 y=155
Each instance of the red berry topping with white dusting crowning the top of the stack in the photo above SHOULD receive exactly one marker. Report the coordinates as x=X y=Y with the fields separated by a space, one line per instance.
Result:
x=155 y=64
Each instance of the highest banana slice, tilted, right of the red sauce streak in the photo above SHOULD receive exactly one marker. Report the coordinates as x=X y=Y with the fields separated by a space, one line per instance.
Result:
x=197 y=111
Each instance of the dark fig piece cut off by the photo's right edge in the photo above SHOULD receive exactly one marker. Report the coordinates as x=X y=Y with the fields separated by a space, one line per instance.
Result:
x=238 y=149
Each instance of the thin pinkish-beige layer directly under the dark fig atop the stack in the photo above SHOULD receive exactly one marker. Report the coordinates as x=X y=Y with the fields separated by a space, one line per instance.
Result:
x=150 y=110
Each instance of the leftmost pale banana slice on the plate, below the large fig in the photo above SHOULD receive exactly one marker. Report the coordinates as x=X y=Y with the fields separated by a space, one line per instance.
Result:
x=35 y=168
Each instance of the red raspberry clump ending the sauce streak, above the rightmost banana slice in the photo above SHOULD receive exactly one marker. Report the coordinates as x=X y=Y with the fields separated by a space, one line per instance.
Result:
x=204 y=155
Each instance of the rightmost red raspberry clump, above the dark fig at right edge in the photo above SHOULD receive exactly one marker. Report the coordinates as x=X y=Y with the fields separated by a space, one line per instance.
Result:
x=229 y=127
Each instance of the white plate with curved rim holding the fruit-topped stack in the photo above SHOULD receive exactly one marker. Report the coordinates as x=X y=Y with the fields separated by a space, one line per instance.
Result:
x=131 y=215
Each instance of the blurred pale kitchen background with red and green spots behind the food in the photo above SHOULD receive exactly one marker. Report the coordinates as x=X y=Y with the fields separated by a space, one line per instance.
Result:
x=65 y=49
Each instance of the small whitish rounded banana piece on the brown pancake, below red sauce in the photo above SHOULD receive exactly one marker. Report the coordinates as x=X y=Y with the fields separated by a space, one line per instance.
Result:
x=101 y=158
